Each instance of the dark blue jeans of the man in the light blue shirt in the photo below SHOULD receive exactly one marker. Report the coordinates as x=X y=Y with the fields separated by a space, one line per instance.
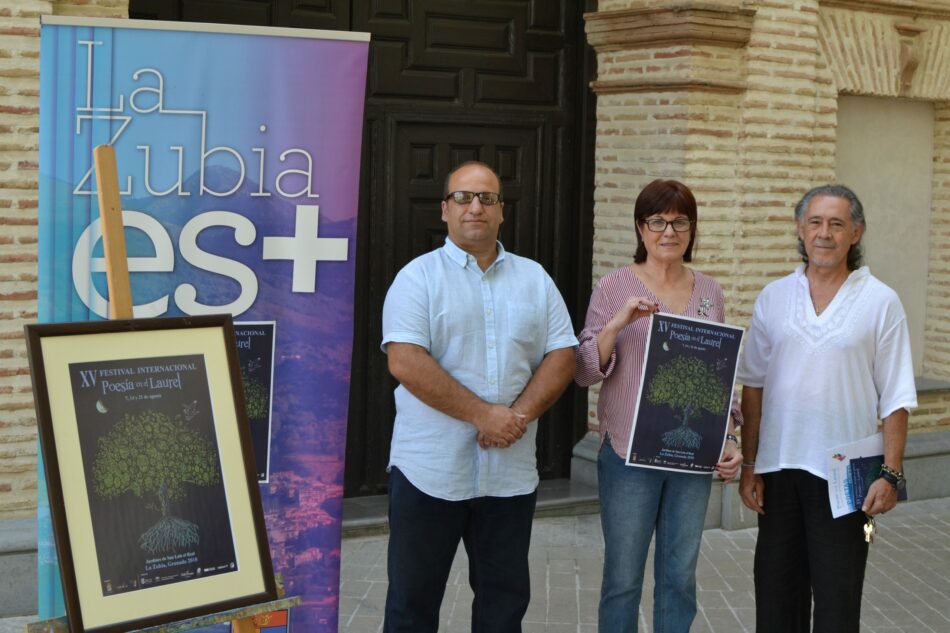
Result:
x=424 y=533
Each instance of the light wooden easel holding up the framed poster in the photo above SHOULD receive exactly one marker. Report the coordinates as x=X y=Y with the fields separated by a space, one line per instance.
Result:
x=245 y=619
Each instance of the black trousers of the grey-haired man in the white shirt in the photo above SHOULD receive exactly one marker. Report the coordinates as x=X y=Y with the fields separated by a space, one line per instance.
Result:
x=803 y=552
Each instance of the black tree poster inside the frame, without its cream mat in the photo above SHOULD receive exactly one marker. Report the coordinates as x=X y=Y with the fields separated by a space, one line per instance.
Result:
x=153 y=472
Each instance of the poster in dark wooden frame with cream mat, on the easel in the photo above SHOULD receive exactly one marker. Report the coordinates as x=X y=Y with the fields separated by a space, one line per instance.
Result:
x=151 y=477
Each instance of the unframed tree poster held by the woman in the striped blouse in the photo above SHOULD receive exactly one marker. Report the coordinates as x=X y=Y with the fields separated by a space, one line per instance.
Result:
x=685 y=394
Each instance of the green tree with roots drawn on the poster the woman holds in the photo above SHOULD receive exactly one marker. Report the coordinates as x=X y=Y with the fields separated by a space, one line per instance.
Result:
x=686 y=385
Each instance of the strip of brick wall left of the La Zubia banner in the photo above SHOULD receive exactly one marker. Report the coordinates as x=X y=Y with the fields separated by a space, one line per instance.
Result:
x=19 y=107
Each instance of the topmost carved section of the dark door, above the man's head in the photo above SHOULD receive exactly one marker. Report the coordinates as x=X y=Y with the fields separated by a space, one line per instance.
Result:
x=472 y=53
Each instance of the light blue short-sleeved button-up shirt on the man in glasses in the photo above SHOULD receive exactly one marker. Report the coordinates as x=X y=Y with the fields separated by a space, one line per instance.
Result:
x=489 y=330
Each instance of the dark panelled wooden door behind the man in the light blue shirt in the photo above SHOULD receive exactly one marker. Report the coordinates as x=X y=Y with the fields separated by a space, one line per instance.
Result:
x=502 y=81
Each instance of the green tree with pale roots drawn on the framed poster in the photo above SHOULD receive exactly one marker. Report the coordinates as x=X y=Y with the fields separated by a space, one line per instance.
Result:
x=151 y=454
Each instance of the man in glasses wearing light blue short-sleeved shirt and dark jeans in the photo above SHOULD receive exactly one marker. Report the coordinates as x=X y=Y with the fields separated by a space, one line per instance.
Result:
x=482 y=344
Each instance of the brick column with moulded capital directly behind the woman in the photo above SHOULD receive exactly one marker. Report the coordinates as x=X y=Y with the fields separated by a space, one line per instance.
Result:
x=671 y=79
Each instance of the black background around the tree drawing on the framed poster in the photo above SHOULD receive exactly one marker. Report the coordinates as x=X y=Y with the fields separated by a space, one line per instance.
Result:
x=175 y=387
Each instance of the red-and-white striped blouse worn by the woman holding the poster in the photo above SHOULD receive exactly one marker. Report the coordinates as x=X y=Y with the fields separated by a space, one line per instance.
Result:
x=621 y=378
